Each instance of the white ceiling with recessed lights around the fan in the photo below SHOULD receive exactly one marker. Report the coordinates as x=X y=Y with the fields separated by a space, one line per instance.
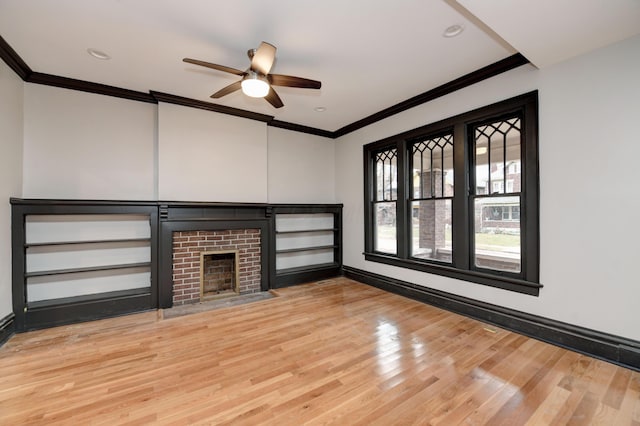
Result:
x=369 y=54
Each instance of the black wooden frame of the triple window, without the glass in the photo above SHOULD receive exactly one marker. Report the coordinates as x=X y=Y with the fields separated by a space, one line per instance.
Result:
x=461 y=267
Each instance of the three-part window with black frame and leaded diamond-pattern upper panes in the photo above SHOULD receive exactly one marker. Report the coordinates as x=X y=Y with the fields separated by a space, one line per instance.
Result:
x=459 y=197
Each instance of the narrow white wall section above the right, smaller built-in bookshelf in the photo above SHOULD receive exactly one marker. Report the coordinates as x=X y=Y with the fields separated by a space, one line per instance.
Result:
x=301 y=167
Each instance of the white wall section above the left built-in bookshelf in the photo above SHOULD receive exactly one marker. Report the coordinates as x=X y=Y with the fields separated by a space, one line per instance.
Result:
x=83 y=145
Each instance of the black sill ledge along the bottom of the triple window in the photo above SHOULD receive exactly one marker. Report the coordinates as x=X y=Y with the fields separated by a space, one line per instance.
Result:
x=498 y=281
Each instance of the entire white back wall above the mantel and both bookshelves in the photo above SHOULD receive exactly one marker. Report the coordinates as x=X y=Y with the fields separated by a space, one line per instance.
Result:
x=85 y=146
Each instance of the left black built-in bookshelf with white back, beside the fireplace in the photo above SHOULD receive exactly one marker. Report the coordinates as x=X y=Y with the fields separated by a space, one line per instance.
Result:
x=81 y=262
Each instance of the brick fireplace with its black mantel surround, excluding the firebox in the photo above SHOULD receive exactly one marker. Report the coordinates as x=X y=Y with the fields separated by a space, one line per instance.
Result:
x=189 y=229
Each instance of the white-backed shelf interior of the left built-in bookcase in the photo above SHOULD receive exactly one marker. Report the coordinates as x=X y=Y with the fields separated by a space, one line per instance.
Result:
x=70 y=256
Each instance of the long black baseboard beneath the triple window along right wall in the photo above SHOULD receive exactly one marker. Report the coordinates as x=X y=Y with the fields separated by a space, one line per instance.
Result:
x=614 y=349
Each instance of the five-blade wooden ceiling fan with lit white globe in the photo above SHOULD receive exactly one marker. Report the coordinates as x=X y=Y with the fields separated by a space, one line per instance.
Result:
x=256 y=80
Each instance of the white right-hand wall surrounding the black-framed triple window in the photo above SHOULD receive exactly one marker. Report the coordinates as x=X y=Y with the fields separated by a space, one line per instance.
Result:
x=589 y=202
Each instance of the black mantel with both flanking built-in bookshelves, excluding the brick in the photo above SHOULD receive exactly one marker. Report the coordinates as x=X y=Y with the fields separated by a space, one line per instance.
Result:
x=78 y=260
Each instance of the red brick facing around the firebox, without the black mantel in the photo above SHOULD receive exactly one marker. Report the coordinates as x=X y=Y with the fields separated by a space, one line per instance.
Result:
x=188 y=246
